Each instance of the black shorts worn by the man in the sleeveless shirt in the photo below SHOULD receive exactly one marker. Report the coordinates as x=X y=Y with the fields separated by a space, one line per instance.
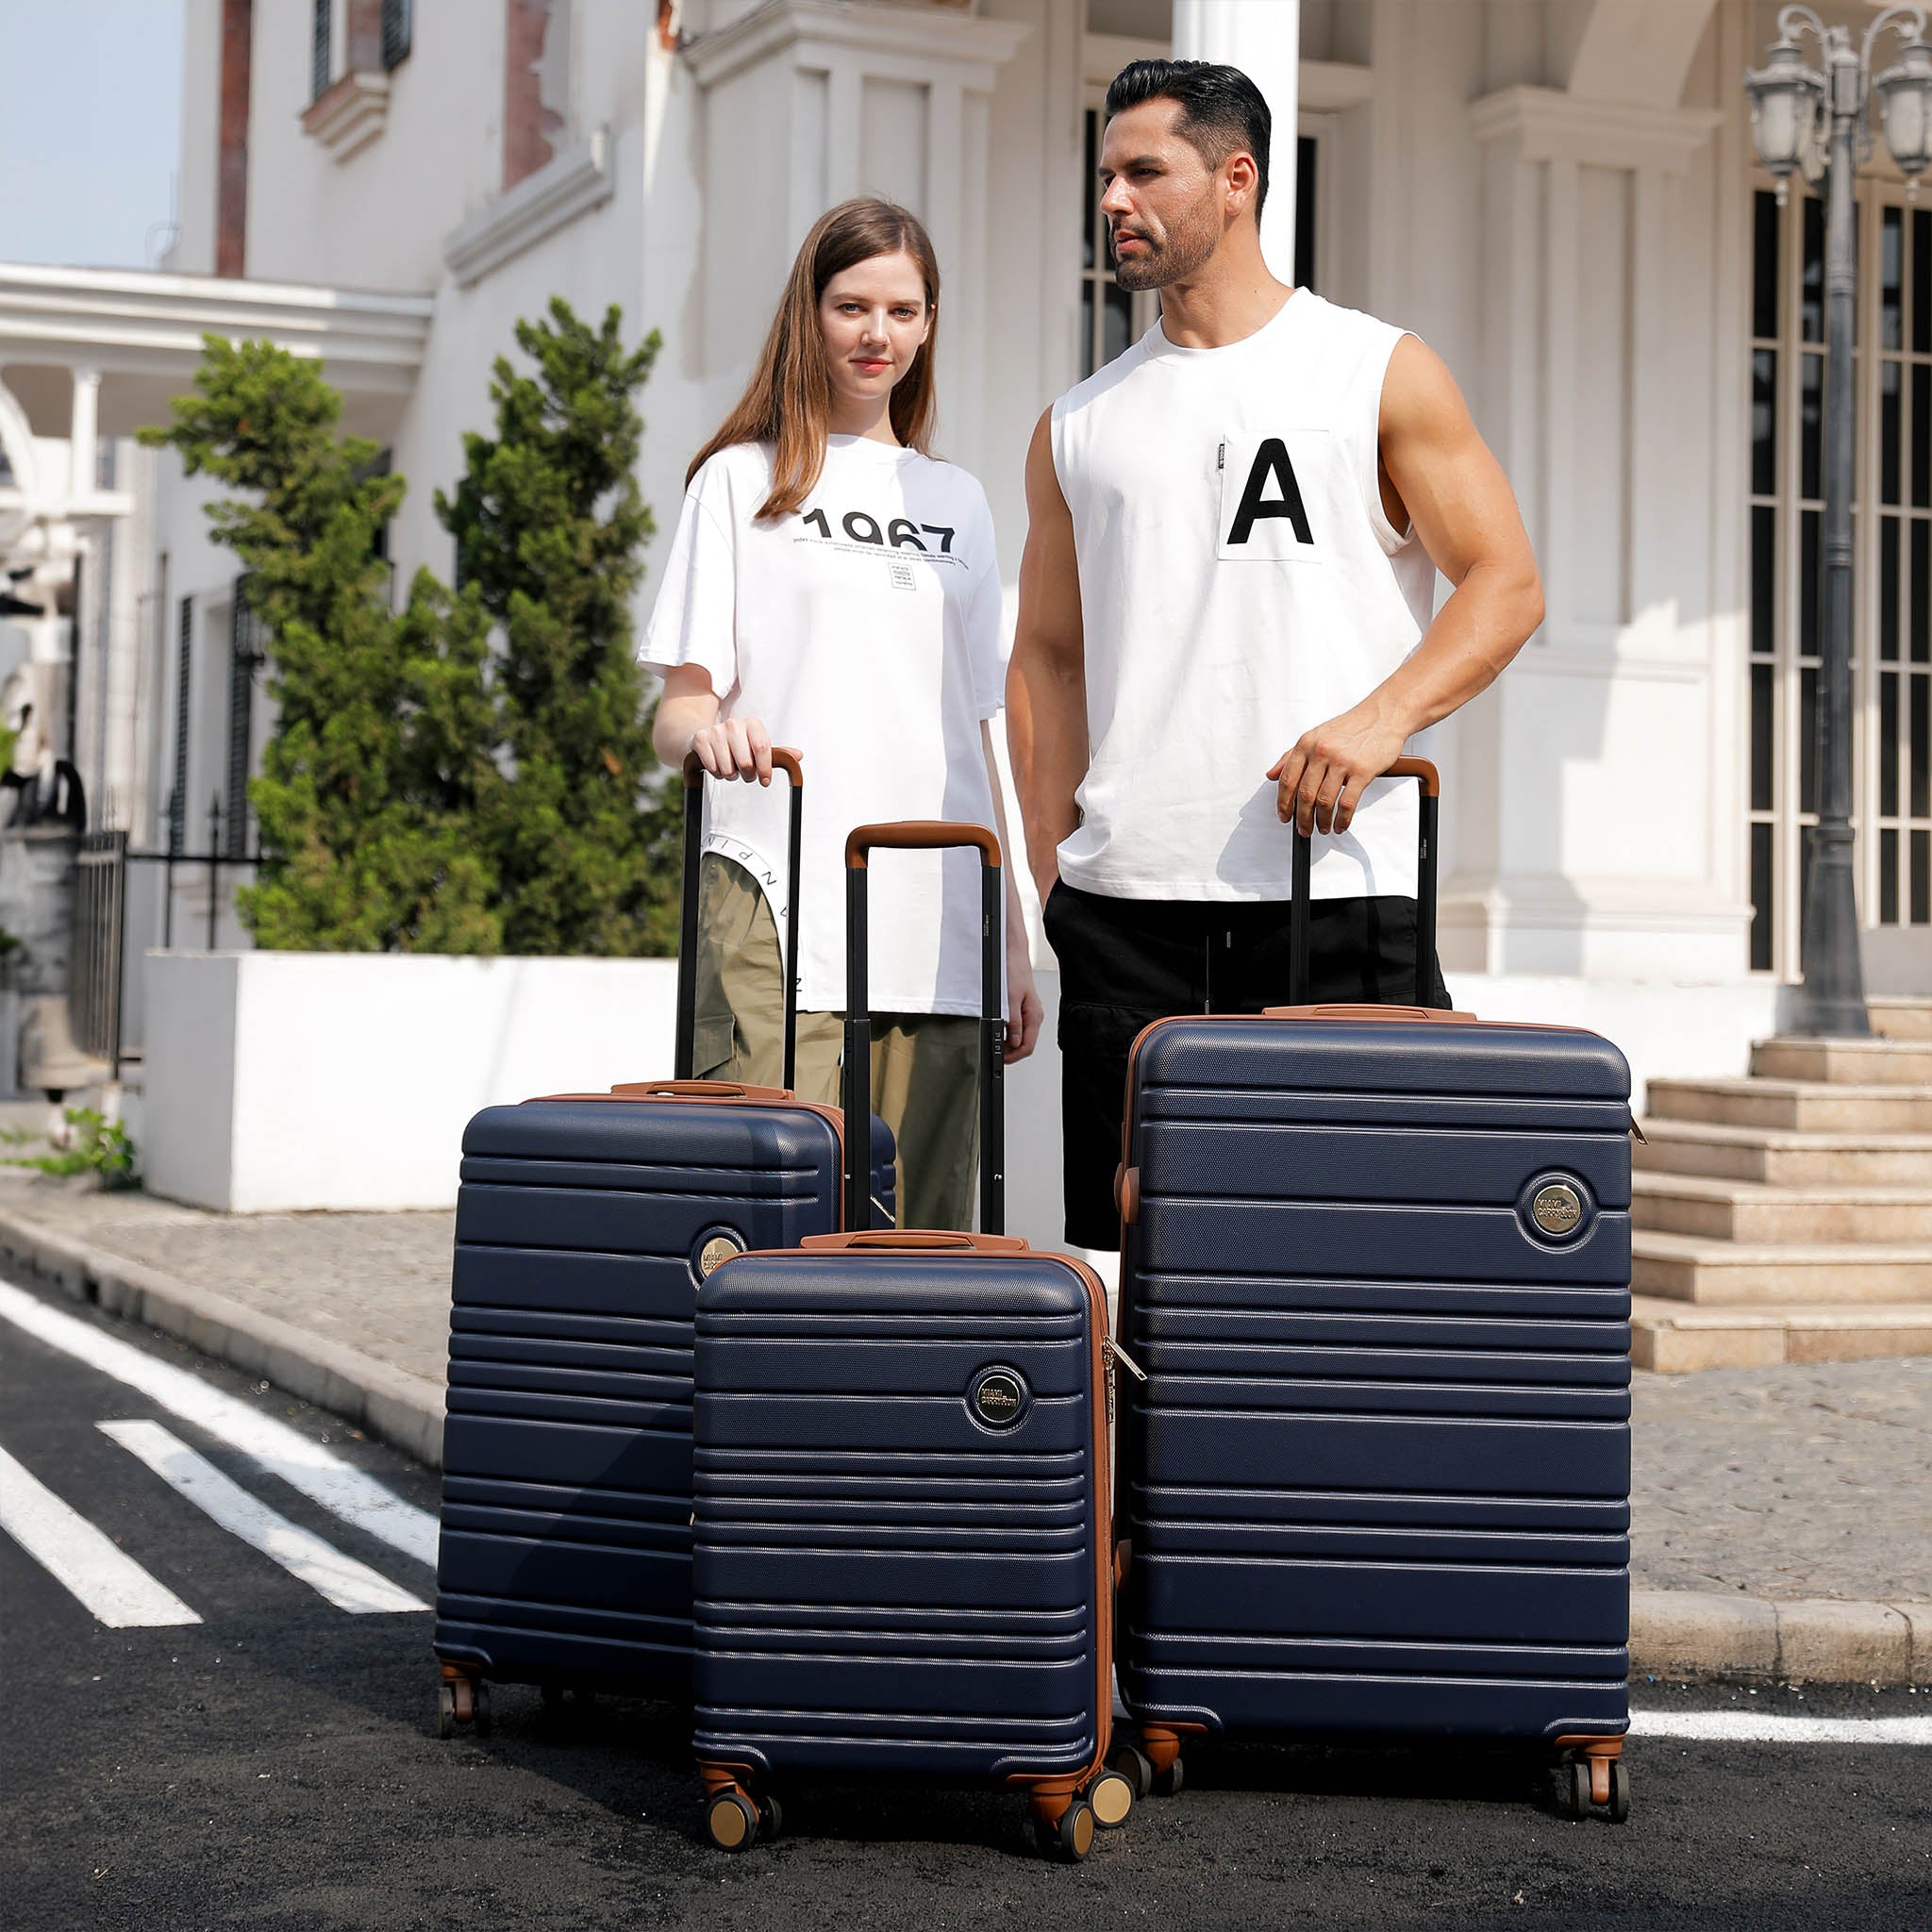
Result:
x=1127 y=963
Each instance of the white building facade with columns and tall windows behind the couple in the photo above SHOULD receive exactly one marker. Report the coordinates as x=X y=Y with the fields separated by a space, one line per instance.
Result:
x=1558 y=194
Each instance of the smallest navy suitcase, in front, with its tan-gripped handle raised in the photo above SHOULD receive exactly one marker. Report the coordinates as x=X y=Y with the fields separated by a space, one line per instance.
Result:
x=903 y=1550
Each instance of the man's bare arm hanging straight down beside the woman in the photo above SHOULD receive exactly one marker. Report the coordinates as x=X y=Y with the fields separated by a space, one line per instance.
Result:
x=1046 y=683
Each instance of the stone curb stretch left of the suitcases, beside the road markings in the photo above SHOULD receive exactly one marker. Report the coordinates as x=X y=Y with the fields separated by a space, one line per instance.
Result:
x=382 y=1400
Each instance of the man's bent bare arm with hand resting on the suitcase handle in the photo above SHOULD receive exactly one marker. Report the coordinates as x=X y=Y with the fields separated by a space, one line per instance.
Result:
x=1440 y=474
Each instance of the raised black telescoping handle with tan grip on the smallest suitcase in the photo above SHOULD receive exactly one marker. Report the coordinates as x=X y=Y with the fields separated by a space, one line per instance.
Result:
x=924 y=836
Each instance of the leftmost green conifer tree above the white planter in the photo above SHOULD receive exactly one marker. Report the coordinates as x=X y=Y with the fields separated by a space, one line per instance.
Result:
x=380 y=772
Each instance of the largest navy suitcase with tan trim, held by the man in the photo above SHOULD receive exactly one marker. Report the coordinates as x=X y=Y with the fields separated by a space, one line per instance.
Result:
x=1377 y=1268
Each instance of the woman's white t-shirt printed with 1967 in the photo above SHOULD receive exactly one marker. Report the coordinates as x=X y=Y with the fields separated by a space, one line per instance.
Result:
x=865 y=629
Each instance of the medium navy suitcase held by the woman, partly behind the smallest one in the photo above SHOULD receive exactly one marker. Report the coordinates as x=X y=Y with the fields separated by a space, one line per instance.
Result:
x=582 y=1230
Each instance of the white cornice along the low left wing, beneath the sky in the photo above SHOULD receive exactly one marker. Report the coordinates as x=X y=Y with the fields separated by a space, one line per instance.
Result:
x=127 y=322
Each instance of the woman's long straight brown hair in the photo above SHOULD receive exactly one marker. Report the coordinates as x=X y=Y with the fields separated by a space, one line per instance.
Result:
x=789 y=401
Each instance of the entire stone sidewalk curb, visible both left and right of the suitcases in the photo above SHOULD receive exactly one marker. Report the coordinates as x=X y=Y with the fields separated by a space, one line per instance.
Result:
x=1678 y=1635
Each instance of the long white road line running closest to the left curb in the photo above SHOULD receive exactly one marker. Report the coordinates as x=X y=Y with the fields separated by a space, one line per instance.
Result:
x=308 y=1467
